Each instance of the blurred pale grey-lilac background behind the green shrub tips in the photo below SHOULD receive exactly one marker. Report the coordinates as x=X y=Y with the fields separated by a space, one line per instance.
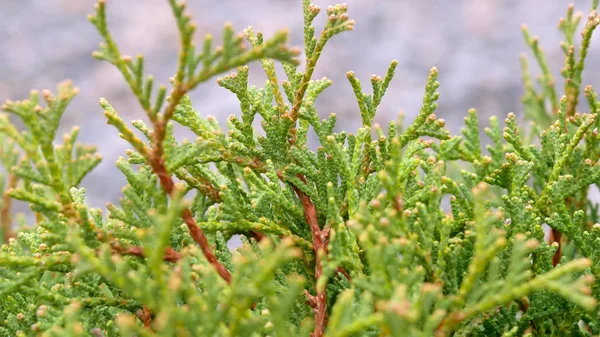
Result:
x=474 y=43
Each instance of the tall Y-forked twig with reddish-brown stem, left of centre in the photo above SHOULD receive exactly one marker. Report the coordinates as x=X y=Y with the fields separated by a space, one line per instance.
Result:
x=186 y=78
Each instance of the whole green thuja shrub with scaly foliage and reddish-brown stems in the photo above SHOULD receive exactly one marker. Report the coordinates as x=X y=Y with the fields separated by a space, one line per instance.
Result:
x=354 y=239
